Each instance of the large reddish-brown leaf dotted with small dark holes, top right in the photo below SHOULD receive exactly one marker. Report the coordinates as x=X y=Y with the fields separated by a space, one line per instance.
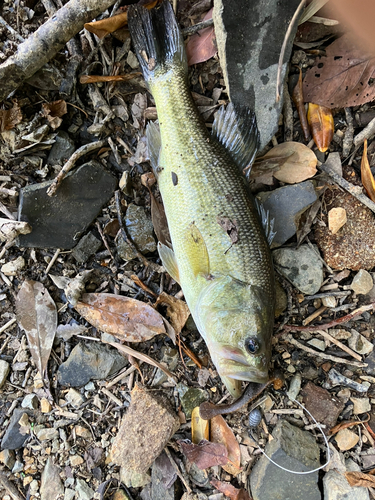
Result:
x=344 y=78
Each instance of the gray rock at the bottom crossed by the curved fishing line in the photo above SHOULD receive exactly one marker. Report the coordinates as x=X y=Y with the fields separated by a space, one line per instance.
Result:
x=293 y=449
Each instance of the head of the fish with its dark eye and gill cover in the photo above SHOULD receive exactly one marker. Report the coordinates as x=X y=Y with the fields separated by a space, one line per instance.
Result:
x=236 y=321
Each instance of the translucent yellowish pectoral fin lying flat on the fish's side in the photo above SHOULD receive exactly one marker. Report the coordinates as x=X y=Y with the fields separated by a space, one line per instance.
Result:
x=196 y=251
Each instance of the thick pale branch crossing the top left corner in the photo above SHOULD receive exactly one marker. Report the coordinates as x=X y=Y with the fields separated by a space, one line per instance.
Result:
x=45 y=42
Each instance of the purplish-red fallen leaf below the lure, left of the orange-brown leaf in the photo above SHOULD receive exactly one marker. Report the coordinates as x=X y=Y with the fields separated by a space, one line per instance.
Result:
x=204 y=454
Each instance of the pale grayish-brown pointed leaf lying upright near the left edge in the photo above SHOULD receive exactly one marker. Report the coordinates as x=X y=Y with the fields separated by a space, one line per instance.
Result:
x=36 y=314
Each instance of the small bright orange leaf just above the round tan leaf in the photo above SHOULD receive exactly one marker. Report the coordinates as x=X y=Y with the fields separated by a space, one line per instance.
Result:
x=321 y=124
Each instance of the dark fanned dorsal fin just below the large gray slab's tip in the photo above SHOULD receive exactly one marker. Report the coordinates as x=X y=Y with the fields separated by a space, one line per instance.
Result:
x=236 y=129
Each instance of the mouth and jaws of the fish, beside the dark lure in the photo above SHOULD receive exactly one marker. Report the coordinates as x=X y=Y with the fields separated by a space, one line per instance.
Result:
x=233 y=364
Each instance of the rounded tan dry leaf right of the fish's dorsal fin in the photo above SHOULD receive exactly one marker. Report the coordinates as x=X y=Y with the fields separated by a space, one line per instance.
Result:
x=299 y=165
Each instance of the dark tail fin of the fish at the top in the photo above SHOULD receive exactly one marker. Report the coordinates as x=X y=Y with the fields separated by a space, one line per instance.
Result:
x=156 y=37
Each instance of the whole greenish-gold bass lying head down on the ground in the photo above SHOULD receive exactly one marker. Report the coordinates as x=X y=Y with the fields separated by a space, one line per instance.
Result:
x=220 y=254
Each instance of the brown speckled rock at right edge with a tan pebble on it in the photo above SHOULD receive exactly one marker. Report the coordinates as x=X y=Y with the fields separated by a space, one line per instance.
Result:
x=353 y=246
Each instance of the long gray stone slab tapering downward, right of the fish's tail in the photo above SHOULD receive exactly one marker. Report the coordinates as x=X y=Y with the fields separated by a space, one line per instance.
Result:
x=249 y=43
